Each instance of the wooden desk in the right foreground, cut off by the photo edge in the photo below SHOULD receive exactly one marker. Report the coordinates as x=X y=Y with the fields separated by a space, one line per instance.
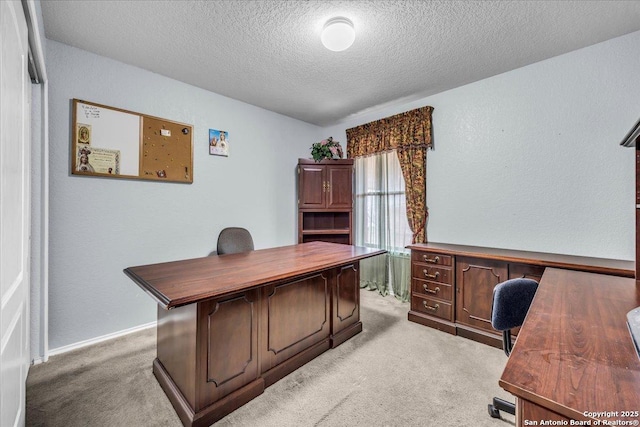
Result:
x=574 y=356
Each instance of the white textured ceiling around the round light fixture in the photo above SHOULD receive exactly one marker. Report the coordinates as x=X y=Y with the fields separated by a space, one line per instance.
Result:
x=268 y=53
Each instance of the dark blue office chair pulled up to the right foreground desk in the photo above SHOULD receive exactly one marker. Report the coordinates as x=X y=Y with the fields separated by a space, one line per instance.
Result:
x=511 y=302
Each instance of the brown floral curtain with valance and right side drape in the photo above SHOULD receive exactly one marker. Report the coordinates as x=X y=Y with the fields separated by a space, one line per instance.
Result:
x=408 y=133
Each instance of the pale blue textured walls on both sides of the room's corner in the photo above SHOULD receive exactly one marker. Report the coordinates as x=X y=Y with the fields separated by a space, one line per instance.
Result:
x=525 y=160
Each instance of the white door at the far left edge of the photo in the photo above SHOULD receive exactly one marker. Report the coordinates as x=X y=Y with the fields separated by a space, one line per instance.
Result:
x=15 y=88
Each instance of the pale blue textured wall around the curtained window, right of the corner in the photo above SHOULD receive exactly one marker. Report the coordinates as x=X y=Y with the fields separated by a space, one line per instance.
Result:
x=530 y=159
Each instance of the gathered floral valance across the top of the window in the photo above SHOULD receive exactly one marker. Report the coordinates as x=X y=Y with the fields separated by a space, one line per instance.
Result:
x=398 y=132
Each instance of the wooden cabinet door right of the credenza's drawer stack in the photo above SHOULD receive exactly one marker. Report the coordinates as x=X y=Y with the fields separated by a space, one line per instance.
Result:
x=475 y=280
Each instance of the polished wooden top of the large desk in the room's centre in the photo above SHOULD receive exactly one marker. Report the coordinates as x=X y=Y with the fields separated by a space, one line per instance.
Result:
x=177 y=283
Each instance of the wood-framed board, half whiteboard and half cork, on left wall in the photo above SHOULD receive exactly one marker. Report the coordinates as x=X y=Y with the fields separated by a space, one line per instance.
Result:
x=115 y=143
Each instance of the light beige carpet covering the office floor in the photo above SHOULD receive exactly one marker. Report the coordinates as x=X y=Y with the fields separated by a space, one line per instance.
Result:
x=394 y=373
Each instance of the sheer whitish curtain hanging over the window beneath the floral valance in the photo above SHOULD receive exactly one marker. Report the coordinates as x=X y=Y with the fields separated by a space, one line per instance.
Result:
x=381 y=222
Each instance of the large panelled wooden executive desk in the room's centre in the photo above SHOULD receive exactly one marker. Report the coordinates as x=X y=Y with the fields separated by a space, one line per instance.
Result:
x=231 y=325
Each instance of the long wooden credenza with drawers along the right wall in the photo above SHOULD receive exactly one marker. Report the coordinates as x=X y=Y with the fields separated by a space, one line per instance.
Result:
x=452 y=285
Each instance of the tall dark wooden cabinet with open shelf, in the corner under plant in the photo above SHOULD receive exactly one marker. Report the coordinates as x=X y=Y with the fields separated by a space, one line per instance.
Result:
x=325 y=201
